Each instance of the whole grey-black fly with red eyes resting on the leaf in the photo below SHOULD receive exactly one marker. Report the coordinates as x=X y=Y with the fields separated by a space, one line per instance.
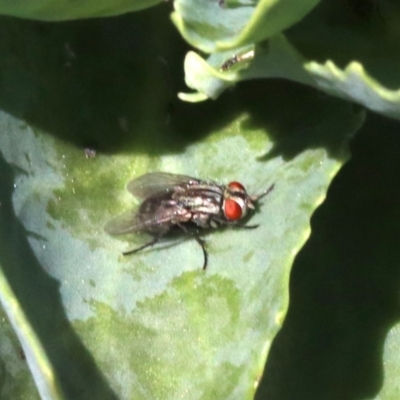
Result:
x=179 y=203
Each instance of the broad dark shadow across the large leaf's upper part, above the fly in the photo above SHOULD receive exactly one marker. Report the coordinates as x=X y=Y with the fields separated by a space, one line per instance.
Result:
x=111 y=85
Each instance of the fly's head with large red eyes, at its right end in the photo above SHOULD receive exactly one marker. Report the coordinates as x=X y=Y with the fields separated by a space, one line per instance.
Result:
x=237 y=201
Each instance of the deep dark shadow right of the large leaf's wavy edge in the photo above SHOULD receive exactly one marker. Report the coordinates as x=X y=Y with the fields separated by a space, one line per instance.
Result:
x=345 y=282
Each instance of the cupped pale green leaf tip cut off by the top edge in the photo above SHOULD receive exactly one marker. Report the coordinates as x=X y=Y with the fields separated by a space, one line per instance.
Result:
x=220 y=25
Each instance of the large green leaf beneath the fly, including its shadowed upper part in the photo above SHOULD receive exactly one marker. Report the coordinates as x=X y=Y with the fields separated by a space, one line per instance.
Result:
x=153 y=325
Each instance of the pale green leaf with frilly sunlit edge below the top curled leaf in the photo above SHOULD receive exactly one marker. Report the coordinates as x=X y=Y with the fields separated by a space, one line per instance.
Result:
x=280 y=60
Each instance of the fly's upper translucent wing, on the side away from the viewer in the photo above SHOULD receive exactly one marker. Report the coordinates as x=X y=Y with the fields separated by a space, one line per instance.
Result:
x=156 y=182
